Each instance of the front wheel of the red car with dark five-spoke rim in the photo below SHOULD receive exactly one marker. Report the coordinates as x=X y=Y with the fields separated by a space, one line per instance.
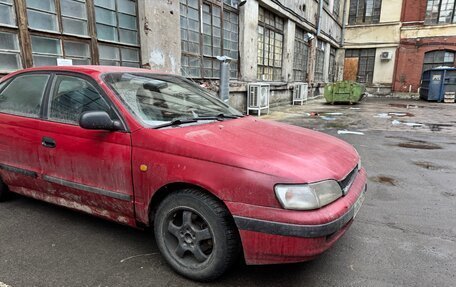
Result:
x=196 y=235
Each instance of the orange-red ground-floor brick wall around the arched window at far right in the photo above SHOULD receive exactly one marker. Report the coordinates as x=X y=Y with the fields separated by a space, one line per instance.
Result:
x=410 y=60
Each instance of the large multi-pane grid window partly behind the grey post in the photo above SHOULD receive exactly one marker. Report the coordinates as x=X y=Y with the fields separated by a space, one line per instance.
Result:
x=201 y=47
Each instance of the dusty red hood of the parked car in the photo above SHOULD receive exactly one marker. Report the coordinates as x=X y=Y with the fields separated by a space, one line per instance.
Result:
x=289 y=152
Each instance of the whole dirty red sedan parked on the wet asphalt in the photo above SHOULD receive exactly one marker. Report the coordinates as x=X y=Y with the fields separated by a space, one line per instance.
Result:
x=146 y=149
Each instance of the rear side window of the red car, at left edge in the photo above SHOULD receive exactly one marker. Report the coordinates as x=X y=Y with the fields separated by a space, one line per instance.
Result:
x=23 y=95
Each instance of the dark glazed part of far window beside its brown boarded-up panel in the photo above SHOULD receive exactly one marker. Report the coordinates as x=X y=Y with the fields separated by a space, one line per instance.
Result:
x=366 y=63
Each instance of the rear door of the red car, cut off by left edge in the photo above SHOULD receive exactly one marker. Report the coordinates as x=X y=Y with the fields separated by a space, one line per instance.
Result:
x=20 y=140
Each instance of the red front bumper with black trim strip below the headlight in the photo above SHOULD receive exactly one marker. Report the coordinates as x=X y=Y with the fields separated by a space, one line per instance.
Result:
x=272 y=235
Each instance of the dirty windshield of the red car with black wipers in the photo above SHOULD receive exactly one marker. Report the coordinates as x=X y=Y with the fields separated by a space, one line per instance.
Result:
x=160 y=100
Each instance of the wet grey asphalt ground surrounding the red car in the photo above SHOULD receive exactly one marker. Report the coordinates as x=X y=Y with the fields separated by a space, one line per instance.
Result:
x=404 y=235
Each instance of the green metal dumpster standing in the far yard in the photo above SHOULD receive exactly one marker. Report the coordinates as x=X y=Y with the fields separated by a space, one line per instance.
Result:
x=344 y=92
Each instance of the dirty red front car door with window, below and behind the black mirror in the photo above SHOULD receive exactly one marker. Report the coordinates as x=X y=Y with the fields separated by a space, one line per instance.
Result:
x=85 y=169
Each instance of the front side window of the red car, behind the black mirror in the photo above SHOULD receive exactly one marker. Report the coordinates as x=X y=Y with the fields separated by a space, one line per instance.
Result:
x=73 y=96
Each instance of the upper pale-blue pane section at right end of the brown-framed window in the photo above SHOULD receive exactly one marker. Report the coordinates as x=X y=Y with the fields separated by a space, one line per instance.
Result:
x=116 y=21
